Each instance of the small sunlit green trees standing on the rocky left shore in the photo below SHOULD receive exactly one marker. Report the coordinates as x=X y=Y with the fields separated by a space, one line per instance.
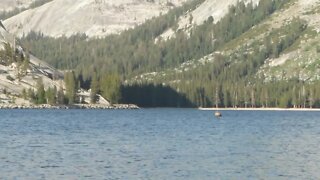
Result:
x=69 y=94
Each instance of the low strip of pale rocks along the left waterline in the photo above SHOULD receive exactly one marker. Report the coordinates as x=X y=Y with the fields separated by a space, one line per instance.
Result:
x=75 y=106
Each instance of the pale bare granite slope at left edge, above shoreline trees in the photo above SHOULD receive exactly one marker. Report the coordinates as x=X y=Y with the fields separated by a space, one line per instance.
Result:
x=15 y=77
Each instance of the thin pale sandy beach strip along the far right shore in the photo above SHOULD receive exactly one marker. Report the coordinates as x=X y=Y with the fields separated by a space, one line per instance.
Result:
x=260 y=109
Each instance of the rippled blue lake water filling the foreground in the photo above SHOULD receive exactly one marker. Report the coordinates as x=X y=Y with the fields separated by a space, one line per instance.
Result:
x=158 y=144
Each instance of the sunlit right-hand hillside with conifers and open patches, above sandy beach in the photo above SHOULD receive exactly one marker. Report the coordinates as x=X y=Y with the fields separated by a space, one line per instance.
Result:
x=288 y=77
